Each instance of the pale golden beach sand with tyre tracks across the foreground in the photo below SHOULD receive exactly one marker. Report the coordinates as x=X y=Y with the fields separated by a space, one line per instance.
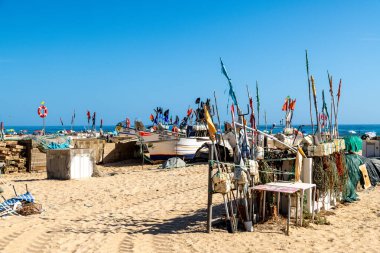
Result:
x=153 y=210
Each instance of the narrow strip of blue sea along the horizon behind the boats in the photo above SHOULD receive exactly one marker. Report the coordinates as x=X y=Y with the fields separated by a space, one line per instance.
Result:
x=344 y=129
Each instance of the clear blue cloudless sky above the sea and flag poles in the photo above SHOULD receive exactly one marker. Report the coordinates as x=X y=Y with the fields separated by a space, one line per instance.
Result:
x=123 y=58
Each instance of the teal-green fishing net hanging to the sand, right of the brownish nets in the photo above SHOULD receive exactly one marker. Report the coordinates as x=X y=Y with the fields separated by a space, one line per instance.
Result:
x=354 y=175
